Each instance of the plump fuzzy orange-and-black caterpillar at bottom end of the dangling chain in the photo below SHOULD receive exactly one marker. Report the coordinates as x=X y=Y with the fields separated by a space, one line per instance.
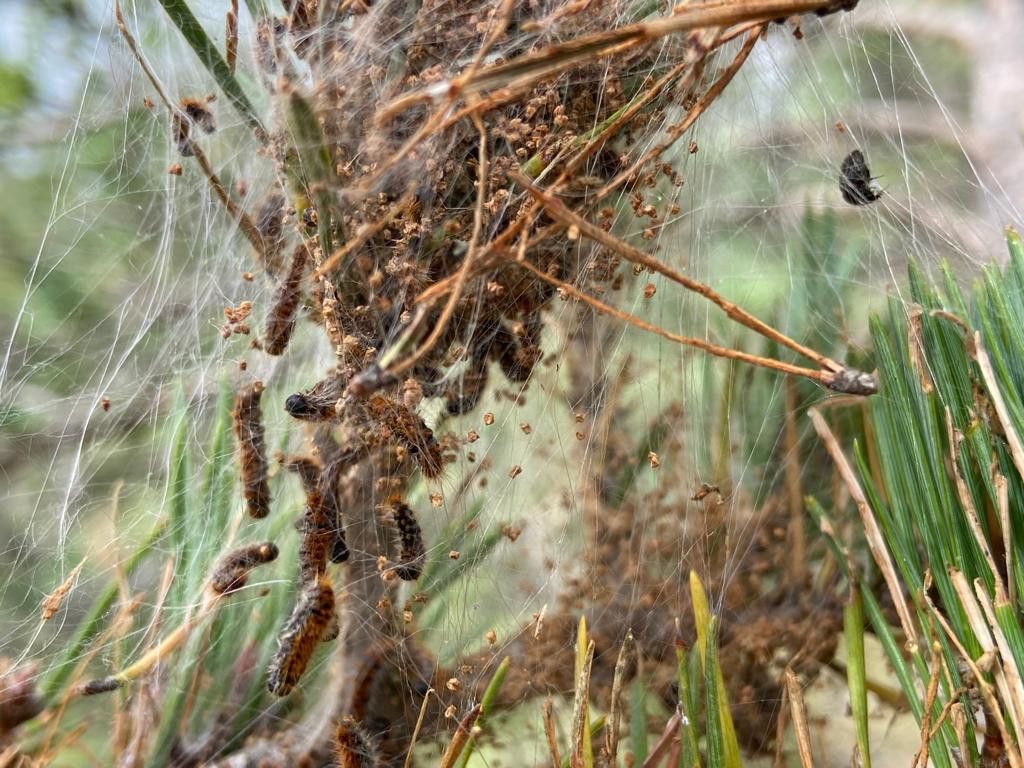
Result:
x=306 y=628
